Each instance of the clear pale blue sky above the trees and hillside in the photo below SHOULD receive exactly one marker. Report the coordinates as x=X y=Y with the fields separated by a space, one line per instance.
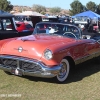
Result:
x=64 y=4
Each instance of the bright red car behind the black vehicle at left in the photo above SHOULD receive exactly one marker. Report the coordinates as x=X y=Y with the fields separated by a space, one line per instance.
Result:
x=21 y=26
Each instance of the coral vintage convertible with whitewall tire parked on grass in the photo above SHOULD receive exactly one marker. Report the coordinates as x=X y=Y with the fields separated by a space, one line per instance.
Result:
x=52 y=51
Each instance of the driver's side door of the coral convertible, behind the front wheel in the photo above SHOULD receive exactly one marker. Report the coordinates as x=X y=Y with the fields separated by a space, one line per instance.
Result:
x=86 y=49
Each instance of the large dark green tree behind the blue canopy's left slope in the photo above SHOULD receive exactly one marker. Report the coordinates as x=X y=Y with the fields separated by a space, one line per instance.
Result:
x=76 y=7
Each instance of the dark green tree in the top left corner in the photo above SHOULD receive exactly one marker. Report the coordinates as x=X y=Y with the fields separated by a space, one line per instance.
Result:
x=5 y=5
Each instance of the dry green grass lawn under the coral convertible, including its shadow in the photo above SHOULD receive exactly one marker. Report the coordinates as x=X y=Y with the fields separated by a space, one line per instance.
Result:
x=83 y=84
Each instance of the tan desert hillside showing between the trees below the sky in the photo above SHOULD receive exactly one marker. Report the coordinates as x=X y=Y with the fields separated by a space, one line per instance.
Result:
x=17 y=8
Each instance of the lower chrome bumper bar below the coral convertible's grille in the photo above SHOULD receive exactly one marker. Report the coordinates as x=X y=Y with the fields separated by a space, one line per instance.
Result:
x=45 y=72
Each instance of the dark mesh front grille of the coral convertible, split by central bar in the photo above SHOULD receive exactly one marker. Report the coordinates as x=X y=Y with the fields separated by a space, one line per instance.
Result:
x=26 y=65
